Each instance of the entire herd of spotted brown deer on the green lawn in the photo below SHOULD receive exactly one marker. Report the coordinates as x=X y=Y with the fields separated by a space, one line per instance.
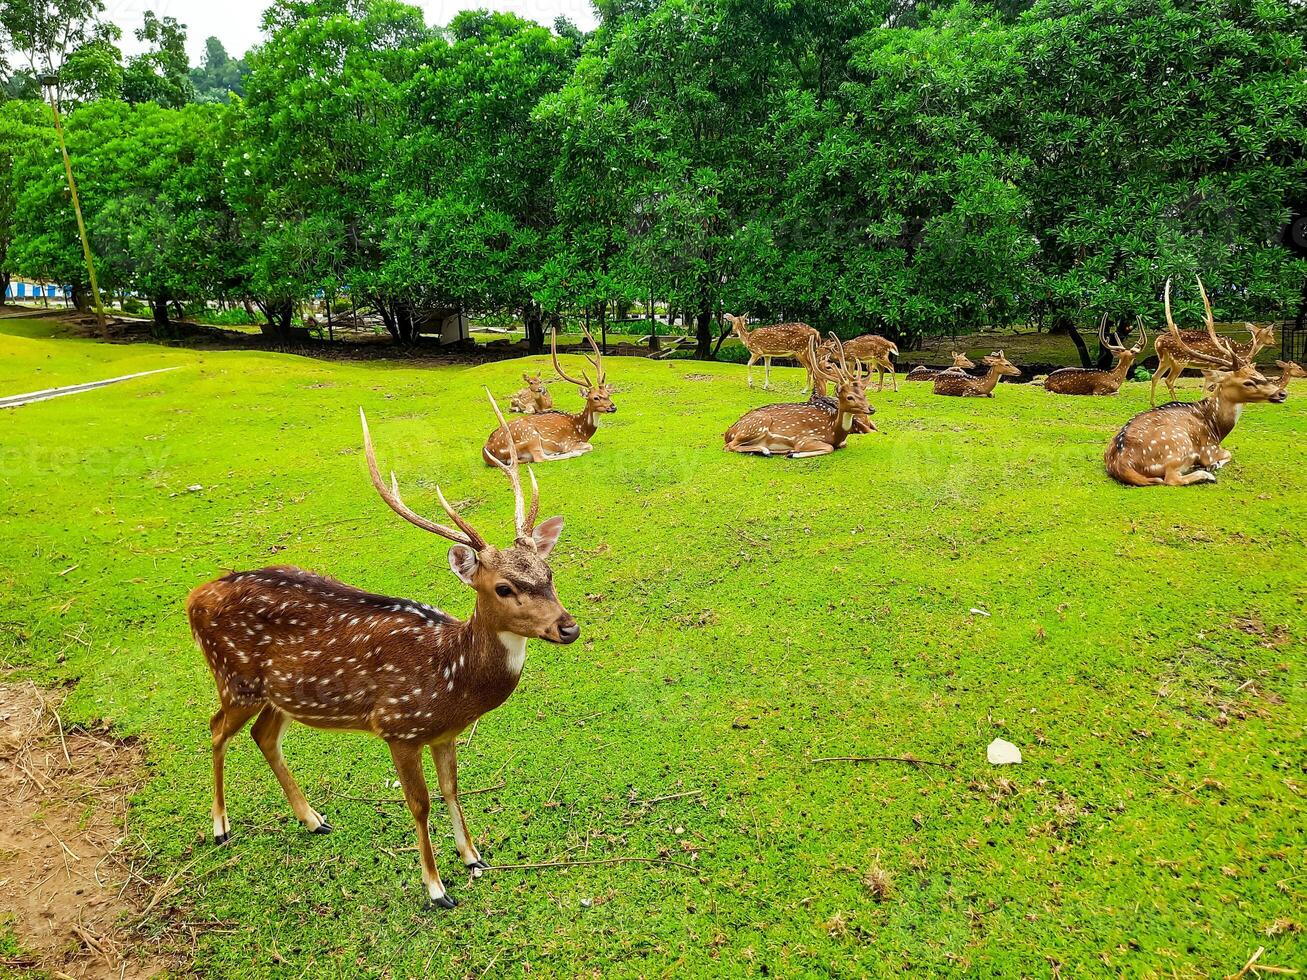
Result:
x=287 y=645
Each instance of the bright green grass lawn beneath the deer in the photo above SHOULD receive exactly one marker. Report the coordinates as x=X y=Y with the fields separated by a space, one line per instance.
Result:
x=742 y=617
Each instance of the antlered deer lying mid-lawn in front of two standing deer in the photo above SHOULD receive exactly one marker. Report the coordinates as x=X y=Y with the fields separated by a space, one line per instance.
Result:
x=802 y=431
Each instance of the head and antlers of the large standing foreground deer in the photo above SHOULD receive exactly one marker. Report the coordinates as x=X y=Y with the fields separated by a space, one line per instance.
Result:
x=514 y=586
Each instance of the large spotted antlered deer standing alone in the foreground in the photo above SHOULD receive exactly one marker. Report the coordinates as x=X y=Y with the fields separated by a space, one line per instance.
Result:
x=288 y=645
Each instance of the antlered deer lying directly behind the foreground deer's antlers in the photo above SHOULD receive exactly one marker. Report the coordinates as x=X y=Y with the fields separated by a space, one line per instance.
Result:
x=552 y=434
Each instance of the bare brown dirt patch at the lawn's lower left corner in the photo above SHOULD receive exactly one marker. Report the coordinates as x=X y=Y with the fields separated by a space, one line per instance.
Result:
x=67 y=884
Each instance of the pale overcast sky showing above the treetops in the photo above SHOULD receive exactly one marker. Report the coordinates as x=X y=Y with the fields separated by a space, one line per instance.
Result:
x=236 y=23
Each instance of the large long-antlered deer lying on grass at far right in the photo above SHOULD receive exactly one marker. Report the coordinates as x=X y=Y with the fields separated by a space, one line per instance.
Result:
x=1180 y=444
